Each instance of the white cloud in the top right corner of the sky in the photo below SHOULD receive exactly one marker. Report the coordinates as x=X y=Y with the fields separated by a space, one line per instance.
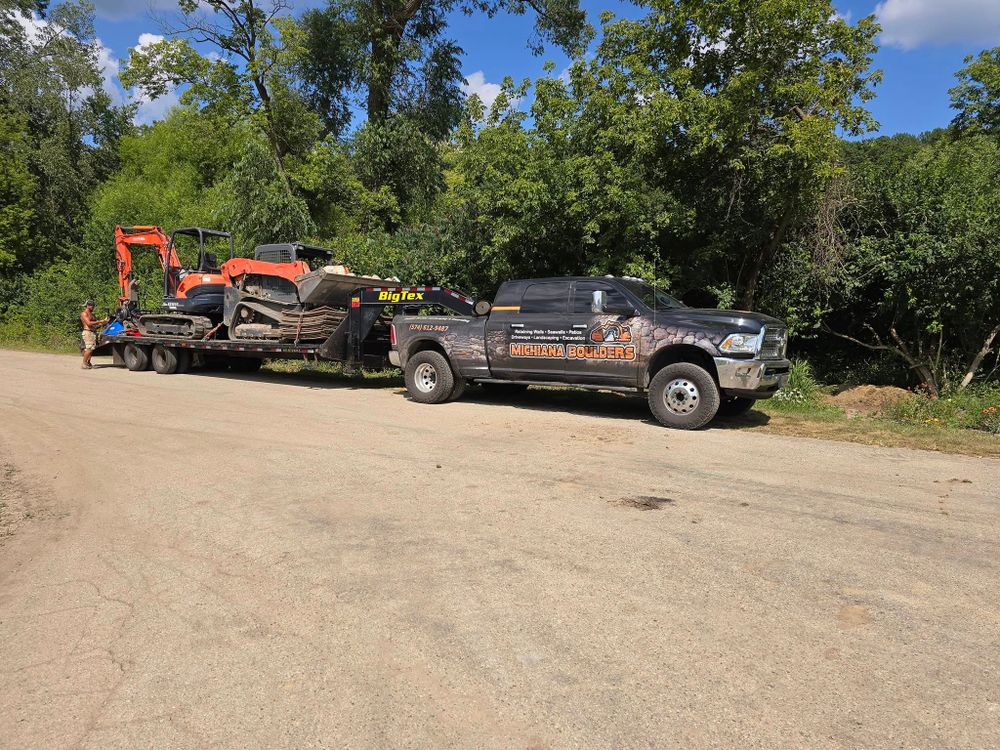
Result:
x=911 y=23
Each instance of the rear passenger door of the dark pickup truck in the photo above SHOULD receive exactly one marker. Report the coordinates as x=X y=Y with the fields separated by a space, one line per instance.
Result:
x=527 y=342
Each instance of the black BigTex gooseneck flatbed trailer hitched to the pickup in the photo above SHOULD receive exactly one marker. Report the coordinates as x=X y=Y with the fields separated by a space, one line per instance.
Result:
x=362 y=340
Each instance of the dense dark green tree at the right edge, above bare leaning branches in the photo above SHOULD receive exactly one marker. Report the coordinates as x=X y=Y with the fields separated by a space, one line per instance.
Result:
x=919 y=275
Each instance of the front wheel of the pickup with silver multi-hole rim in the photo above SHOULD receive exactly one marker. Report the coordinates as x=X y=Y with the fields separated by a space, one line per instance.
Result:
x=683 y=395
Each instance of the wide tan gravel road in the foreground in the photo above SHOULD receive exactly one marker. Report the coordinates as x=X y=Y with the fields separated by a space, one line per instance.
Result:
x=272 y=561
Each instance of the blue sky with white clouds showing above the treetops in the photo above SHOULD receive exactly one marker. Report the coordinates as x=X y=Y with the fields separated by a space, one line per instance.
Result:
x=922 y=45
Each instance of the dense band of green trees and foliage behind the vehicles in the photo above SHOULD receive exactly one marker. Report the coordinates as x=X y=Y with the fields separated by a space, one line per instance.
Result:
x=713 y=146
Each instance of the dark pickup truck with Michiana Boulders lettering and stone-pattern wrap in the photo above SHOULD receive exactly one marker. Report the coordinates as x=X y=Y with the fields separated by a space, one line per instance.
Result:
x=602 y=333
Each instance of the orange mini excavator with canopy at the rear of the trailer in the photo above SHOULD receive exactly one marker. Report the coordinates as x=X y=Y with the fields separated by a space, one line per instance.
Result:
x=192 y=297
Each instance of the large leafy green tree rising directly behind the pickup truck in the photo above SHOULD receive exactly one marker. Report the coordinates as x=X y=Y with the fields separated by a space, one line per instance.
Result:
x=698 y=137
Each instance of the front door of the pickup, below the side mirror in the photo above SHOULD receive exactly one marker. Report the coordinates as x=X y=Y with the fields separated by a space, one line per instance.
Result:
x=605 y=346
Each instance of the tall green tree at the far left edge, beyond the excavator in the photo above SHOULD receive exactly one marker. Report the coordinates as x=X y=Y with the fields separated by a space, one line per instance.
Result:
x=63 y=129
